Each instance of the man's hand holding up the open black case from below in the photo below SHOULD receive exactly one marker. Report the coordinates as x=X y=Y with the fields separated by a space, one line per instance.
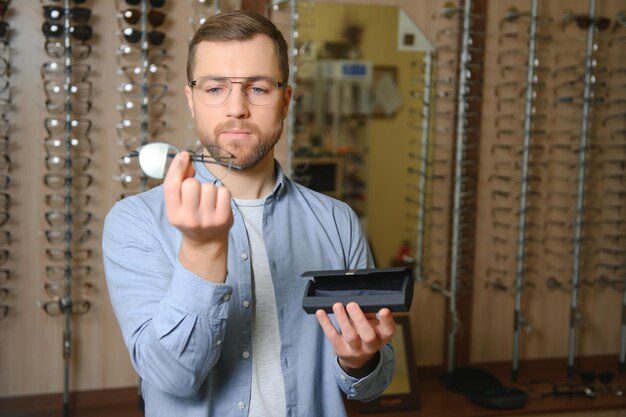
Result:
x=360 y=338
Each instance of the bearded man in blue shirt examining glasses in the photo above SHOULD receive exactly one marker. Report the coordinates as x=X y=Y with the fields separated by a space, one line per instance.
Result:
x=204 y=271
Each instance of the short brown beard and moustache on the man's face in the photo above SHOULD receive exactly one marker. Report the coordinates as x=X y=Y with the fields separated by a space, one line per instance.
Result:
x=246 y=155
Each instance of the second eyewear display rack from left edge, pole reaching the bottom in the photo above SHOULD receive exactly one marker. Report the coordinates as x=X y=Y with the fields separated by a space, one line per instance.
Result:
x=67 y=100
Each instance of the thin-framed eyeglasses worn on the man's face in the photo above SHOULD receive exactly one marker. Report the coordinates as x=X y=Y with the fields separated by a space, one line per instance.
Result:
x=214 y=91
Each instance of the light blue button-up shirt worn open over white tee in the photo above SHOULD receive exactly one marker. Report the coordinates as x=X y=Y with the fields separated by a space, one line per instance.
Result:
x=190 y=340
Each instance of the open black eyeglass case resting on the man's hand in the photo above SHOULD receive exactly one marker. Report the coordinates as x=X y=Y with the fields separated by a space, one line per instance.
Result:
x=372 y=289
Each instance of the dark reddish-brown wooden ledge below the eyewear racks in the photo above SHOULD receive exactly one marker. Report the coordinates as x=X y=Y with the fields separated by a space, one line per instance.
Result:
x=434 y=397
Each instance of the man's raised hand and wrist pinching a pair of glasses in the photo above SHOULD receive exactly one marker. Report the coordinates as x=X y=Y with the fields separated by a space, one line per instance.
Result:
x=202 y=213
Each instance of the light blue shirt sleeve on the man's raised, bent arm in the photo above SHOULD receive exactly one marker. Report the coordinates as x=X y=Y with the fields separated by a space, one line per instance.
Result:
x=172 y=321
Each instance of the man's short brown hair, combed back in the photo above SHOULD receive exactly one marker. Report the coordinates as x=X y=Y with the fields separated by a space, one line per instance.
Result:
x=238 y=25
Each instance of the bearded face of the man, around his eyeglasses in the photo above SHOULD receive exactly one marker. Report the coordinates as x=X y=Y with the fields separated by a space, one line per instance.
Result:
x=247 y=131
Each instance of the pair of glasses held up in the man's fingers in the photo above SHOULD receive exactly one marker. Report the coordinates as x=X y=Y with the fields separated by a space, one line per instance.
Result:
x=155 y=158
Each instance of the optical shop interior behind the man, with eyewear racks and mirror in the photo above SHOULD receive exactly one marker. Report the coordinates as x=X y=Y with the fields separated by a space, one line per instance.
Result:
x=481 y=143
